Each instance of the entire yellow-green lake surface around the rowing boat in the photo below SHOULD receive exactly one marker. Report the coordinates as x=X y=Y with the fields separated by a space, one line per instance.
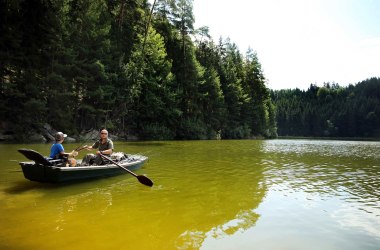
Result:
x=227 y=194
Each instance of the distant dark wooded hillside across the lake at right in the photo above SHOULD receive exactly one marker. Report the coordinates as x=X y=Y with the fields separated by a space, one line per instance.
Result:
x=330 y=111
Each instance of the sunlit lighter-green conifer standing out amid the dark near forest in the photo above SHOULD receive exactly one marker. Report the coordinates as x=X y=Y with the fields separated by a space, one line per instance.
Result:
x=155 y=91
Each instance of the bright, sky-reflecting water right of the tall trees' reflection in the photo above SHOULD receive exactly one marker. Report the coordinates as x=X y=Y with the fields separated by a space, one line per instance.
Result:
x=326 y=191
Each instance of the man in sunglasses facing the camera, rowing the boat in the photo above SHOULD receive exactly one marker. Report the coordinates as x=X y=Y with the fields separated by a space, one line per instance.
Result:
x=104 y=145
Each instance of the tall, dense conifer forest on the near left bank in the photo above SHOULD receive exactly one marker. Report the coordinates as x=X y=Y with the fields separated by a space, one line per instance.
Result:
x=81 y=64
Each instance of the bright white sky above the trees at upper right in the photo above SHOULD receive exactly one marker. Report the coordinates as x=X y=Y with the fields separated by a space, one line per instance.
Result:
x=300 y=42
